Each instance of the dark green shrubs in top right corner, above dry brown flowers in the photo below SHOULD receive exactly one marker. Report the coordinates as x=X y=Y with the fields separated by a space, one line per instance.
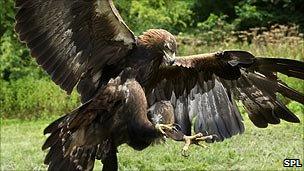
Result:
x=258 y=13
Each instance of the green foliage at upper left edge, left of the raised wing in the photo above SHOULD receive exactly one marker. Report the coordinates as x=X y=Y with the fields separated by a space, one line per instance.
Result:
x=14 y=57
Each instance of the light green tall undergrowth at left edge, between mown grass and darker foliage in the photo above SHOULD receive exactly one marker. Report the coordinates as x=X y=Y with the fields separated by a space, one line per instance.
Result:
x=31 y=98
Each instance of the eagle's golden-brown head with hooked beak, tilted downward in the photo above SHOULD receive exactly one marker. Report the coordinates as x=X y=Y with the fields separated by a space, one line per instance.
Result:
x=161 y=42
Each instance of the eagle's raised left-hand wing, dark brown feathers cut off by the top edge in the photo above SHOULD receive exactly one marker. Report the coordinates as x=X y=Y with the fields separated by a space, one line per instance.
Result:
x=73 y=40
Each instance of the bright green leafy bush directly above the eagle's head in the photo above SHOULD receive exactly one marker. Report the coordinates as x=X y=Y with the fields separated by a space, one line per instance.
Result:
x=172 y=15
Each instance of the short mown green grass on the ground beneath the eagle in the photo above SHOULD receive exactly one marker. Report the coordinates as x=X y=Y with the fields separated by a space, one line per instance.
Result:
x=256 y=149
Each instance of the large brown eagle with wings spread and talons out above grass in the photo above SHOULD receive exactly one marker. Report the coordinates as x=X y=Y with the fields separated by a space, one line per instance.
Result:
x=135 y=90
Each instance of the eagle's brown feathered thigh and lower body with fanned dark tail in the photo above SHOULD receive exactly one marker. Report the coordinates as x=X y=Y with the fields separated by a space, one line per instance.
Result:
x=117 y=114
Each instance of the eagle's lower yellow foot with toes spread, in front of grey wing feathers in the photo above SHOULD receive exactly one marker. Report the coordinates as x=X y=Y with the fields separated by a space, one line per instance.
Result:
x=195 y=139
